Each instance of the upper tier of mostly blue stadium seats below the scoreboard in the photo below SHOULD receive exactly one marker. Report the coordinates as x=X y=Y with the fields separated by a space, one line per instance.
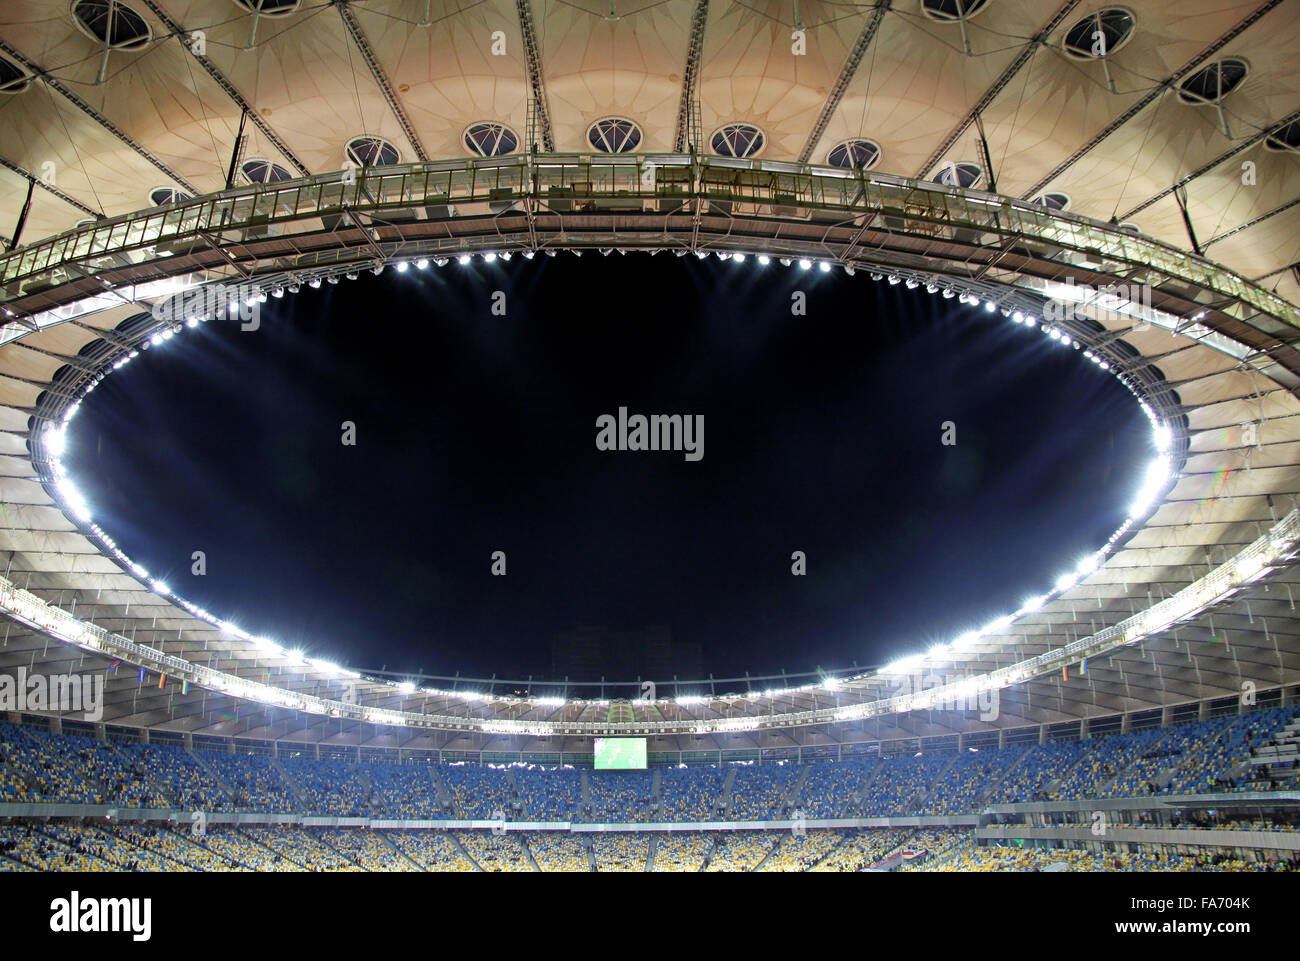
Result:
x=1206 y=756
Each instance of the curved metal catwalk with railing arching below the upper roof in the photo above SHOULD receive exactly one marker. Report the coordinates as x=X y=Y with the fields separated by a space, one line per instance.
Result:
x=662 y=185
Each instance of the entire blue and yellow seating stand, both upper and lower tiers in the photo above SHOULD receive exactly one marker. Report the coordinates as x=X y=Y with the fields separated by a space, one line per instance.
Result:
x=1217 y=755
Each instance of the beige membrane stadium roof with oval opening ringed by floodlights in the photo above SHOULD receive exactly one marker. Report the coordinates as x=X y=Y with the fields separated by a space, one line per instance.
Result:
x=1185 y=125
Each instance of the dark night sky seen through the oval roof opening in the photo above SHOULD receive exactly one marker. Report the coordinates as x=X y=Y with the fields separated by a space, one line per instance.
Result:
x=478 y=432
